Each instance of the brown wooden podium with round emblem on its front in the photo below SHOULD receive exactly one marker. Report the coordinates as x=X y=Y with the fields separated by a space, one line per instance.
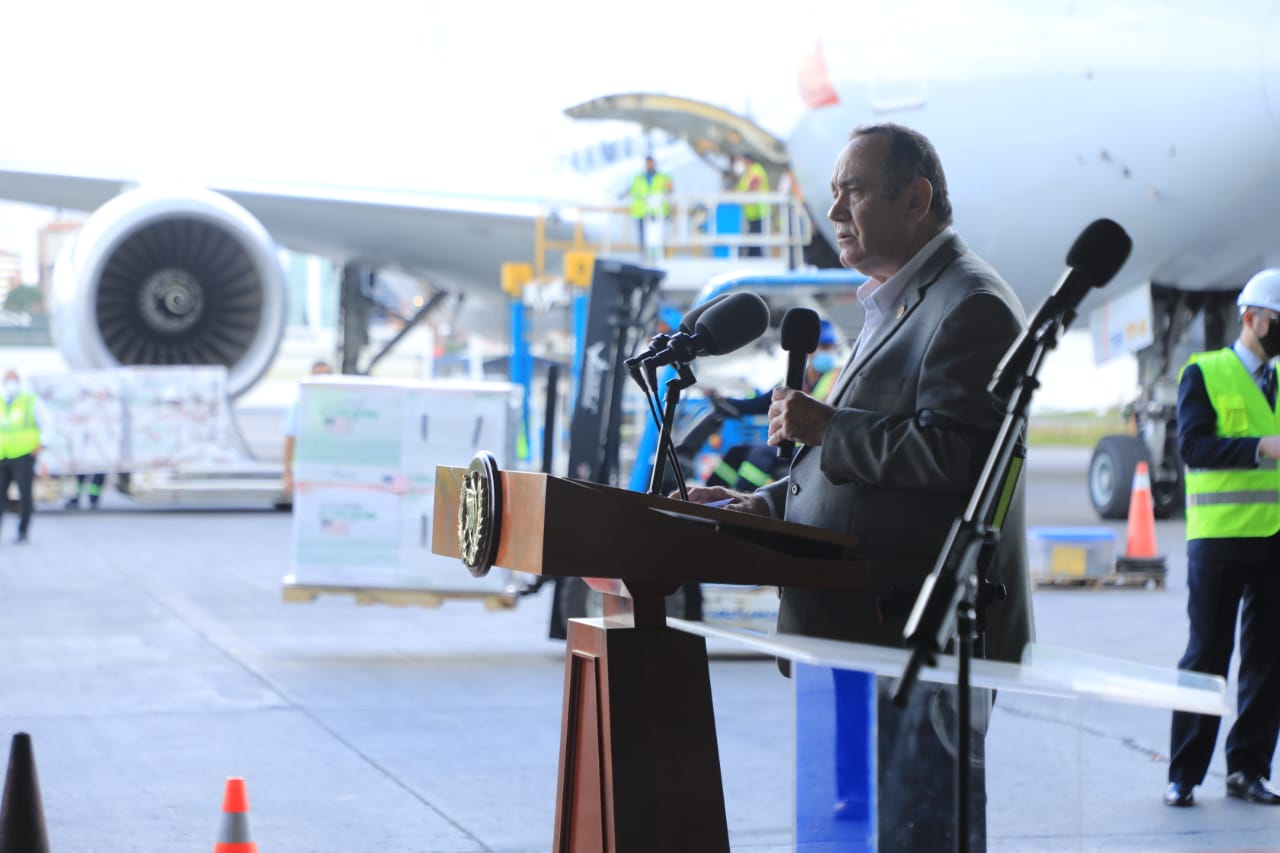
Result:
x=639 y=767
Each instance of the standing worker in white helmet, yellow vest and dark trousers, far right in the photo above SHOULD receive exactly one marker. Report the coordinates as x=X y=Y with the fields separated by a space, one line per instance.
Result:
x=1229 y=439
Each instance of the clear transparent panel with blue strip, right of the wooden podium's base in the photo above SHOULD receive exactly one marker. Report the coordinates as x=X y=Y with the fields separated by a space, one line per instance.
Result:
x=1073 y=756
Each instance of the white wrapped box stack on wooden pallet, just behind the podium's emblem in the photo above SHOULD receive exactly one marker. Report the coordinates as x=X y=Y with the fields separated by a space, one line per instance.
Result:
x=365 y=472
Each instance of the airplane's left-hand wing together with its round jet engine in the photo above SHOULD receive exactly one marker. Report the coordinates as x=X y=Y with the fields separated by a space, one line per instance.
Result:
x=175 y=273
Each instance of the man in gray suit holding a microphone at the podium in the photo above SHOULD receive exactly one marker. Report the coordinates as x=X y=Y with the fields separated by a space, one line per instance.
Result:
x=895 y=451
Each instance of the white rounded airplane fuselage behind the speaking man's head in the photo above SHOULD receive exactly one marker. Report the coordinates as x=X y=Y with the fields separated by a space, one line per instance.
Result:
x=1160 y=116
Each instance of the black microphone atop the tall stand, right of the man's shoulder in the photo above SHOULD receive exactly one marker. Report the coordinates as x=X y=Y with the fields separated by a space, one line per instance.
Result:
x=1095 y=258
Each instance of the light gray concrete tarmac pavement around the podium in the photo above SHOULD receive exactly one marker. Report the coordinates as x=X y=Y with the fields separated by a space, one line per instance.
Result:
x=150 y=656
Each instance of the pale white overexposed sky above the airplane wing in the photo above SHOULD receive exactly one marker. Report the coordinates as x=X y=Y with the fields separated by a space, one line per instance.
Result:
x=436 y=95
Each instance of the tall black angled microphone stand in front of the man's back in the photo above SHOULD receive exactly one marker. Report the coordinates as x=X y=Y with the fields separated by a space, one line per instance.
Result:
x=958 y=589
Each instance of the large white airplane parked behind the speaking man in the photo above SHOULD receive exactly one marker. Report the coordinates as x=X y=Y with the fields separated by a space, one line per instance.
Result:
x=1160 y=115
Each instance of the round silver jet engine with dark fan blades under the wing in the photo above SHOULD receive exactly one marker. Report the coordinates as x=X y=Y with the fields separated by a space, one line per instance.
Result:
x=171 y=279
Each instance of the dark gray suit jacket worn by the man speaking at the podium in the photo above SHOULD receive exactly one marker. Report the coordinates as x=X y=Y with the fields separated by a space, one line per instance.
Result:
x=912 y=431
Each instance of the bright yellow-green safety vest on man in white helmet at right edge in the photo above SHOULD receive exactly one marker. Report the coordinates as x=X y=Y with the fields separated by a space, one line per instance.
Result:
x=1241 y=503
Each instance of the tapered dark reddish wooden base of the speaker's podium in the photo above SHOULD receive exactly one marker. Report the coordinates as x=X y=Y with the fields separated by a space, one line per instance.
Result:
x=639 y=761
